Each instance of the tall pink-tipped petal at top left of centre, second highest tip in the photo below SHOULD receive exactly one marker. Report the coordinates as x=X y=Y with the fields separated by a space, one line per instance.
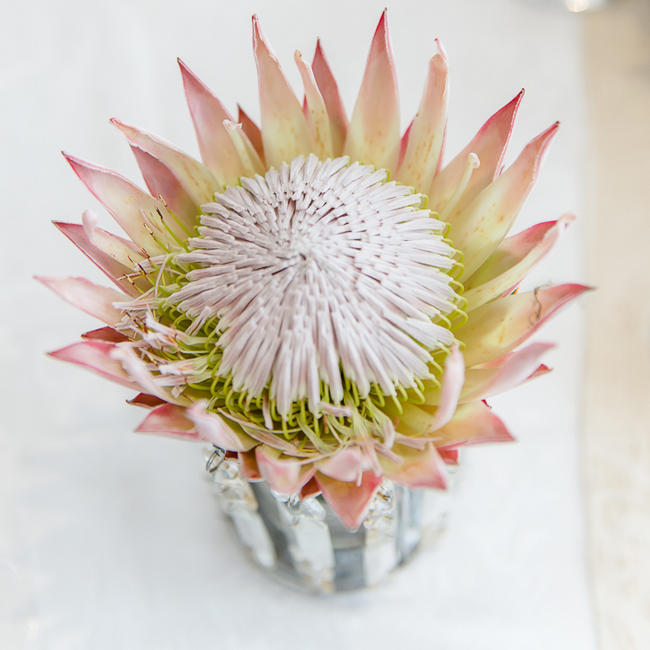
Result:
x=285 y=133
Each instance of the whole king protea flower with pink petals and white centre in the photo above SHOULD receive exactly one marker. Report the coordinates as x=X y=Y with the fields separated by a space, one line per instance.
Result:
x=320 y=296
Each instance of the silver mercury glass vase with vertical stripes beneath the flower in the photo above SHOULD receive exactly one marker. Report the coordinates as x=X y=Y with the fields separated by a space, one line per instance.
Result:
x=303 y=543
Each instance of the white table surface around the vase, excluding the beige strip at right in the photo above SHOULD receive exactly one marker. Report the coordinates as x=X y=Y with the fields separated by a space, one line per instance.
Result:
x=112 y=541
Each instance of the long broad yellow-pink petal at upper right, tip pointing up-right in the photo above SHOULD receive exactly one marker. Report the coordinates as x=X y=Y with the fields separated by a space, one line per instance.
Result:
x=481 y=226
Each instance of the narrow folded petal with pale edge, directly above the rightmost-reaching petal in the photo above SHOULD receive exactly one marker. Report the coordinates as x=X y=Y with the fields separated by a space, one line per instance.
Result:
x=514 y=257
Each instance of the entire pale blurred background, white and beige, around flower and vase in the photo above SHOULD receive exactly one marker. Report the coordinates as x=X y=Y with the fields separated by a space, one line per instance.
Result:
x=110 y=540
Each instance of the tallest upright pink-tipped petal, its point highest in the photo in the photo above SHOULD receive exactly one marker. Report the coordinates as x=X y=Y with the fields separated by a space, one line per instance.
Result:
x=374 y=136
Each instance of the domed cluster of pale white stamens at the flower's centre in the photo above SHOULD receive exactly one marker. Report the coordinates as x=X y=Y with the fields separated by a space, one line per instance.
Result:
x=317 y=271
